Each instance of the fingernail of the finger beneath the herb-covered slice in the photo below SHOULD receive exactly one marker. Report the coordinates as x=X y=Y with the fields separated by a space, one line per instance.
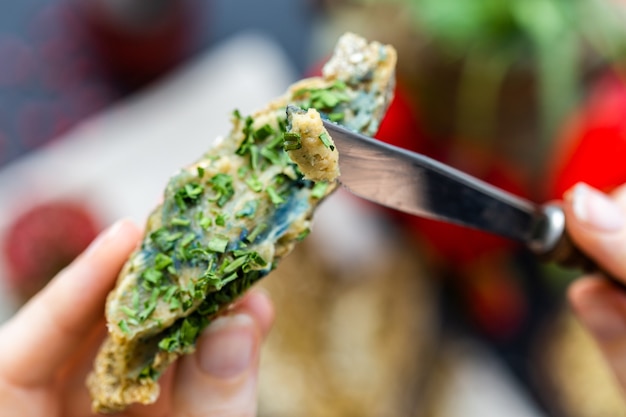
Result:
x=227 y=346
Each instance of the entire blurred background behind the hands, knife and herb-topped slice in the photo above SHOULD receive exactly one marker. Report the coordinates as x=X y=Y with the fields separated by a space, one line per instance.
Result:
x=379 y=314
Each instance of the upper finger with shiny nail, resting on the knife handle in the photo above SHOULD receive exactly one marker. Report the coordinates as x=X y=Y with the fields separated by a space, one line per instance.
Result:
x=597 y=223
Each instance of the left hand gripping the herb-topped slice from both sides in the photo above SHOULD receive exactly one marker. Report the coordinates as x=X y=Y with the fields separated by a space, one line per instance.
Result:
x=48 y=347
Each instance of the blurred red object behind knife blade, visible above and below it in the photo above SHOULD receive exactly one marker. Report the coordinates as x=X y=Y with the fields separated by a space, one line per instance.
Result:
x=479 y=261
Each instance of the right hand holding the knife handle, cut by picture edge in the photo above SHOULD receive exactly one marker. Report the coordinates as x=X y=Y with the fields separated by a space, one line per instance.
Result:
x=597 y=223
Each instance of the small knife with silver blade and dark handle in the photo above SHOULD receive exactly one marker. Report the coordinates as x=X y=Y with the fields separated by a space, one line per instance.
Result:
x=416 y=184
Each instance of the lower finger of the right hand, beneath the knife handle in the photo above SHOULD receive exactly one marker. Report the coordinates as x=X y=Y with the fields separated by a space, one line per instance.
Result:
x=601 y=307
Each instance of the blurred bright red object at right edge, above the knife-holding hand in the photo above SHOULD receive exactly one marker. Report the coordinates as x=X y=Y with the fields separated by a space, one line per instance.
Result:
x=592 y=148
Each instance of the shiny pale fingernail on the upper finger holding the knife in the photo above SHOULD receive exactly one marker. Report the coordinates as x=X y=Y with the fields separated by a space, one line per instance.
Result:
x=596 y=209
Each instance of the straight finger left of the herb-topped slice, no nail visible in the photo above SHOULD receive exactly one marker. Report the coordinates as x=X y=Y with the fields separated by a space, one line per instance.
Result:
x=46 y=331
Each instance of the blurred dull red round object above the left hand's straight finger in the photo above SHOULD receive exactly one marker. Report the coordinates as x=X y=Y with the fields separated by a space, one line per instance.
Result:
x=42 y=241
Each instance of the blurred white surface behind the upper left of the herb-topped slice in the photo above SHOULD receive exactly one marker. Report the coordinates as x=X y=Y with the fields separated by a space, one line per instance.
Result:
x=119 y=161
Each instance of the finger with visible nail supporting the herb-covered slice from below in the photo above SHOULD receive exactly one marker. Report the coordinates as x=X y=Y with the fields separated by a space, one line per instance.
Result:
x=220 y=379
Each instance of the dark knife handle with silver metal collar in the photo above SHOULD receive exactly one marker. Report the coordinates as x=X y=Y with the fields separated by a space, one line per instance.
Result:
x=563 y=250
